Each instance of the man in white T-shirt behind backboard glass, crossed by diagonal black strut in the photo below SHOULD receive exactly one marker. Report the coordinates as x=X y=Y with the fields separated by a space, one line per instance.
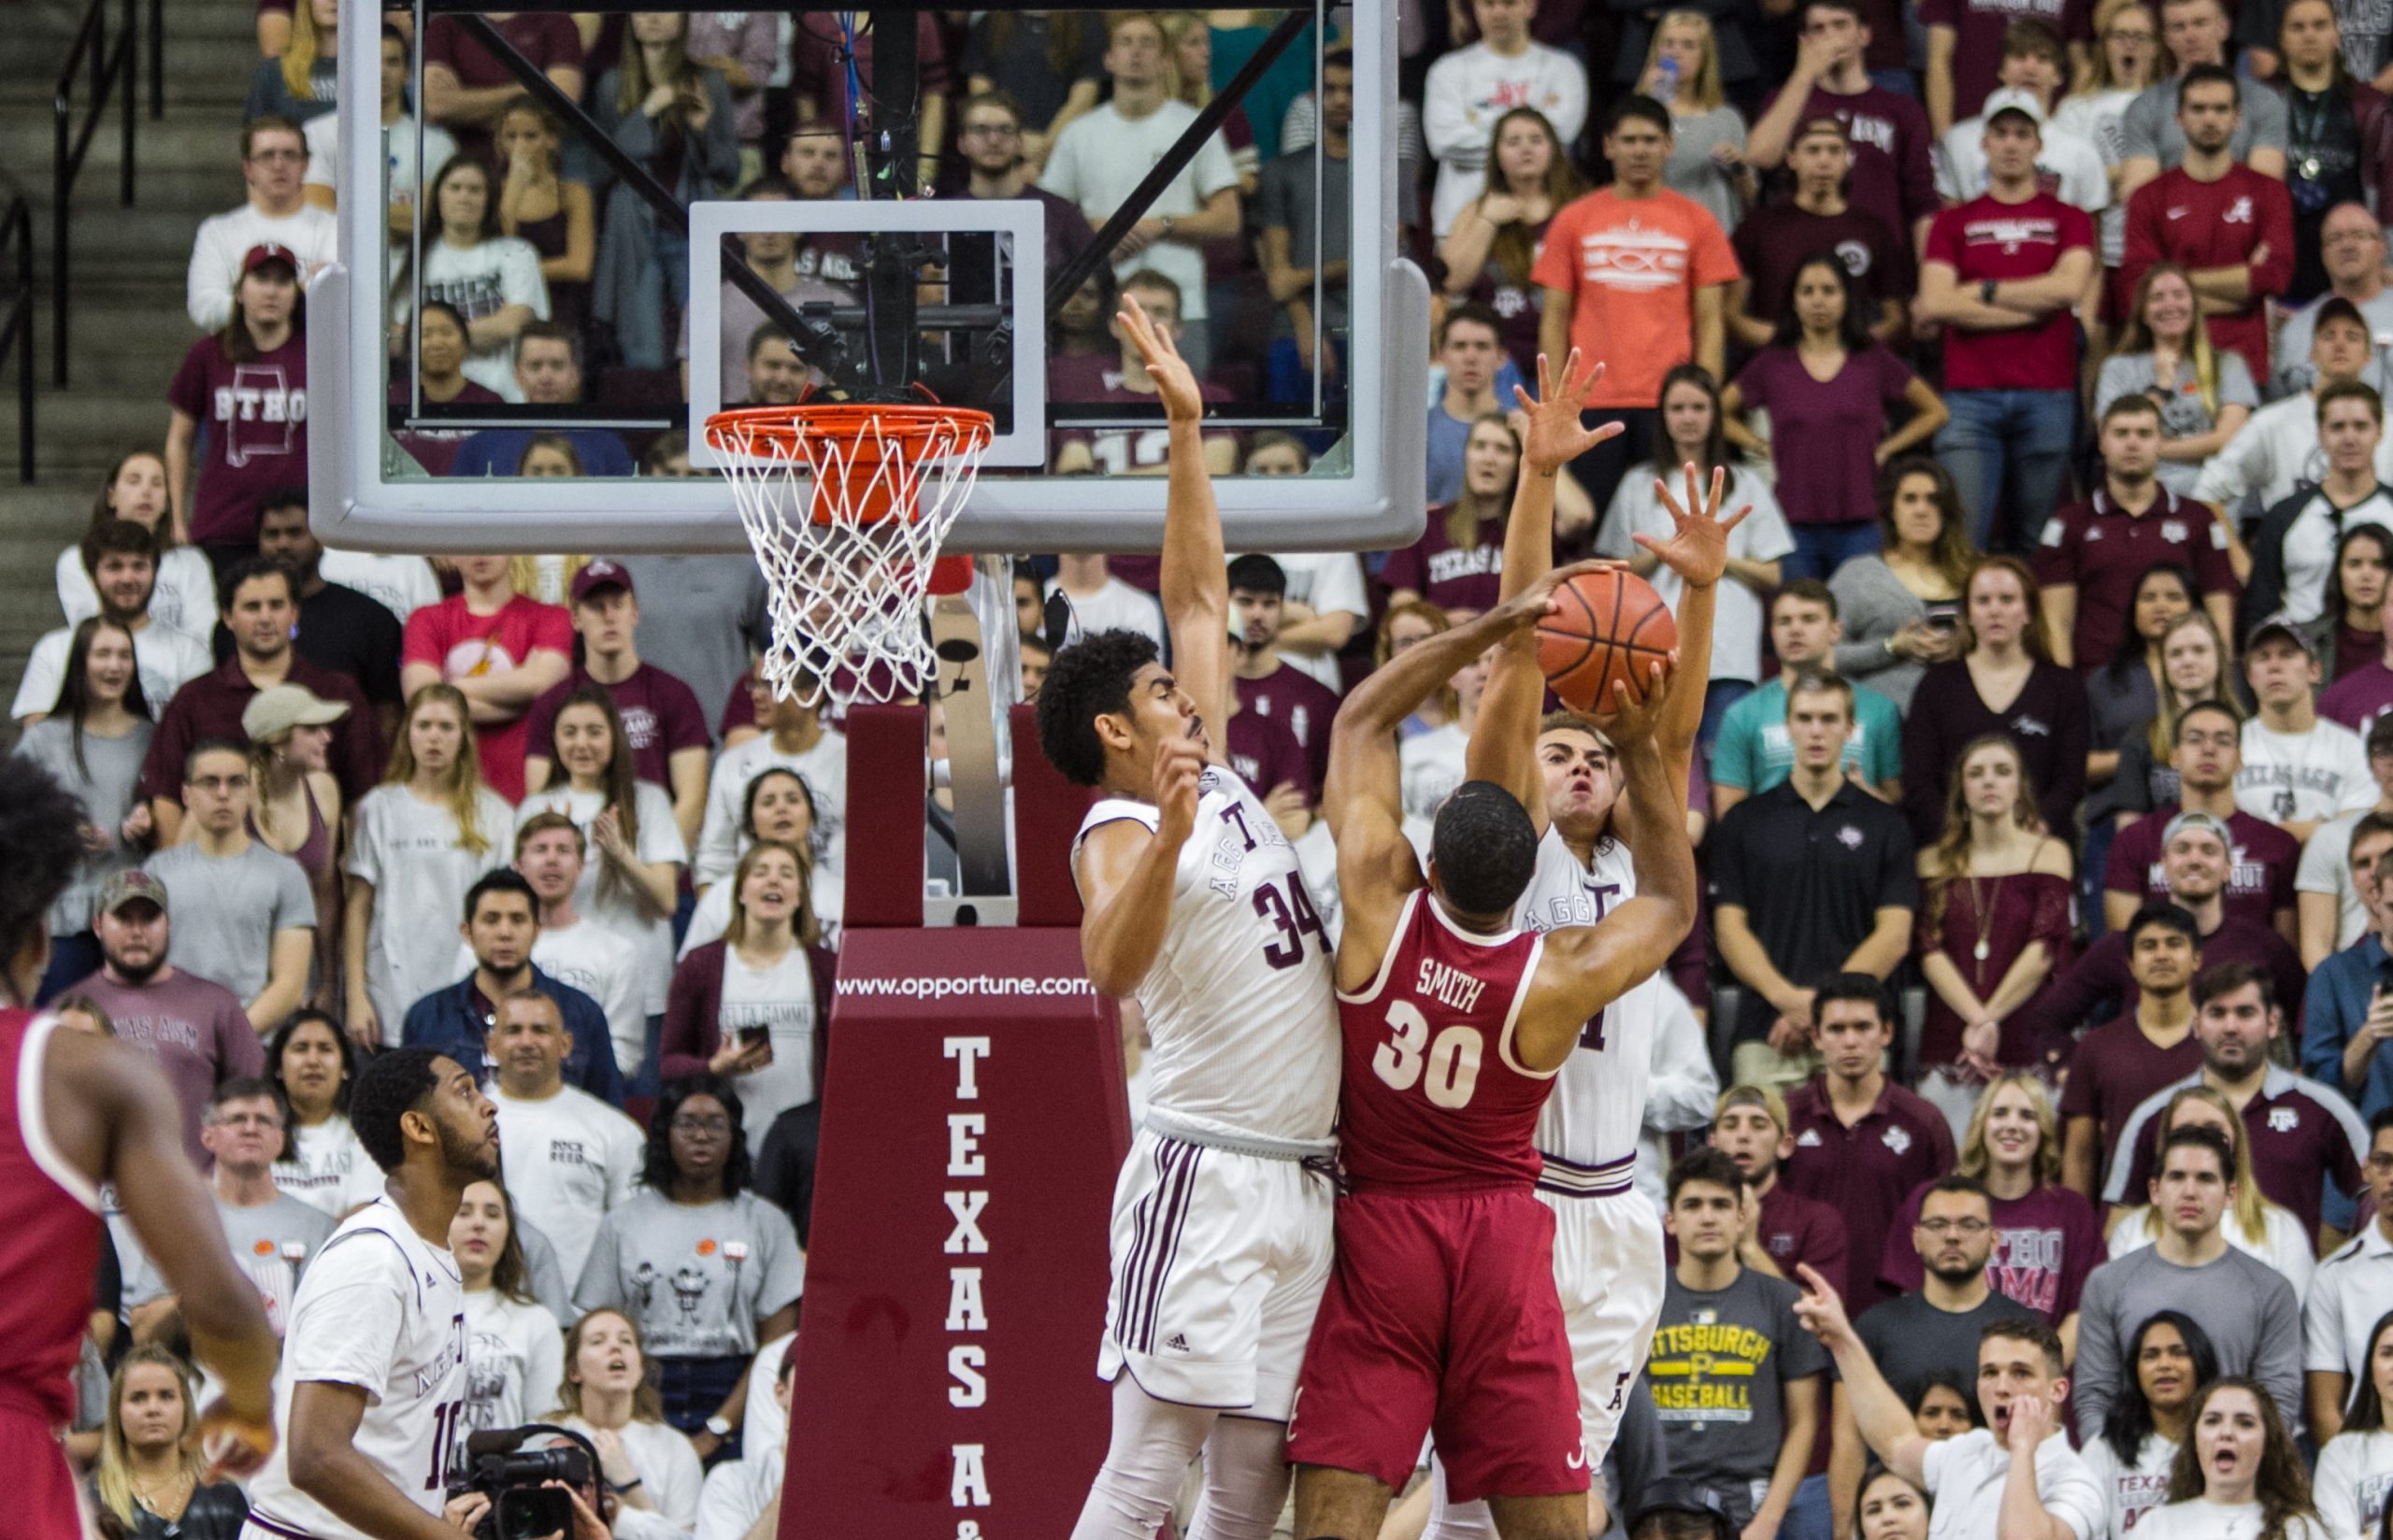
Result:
x=1102 y=157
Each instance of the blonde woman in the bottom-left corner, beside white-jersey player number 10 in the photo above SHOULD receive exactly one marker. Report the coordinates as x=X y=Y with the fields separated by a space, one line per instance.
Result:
x=152 y=1477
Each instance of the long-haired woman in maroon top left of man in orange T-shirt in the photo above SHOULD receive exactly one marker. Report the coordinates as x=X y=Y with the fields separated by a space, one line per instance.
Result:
x=1497 y=238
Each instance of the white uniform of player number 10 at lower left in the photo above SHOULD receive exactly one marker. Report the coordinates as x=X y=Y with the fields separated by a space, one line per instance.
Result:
x=384 y=1312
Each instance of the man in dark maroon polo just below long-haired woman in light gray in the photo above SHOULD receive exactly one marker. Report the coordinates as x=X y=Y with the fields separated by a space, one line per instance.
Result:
x=2095 y=554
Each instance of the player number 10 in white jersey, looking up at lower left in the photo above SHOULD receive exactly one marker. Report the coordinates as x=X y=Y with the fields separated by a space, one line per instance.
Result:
x=375 y=1357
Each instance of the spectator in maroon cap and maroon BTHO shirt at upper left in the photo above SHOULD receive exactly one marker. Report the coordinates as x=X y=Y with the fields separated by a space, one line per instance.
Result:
x=248 y=384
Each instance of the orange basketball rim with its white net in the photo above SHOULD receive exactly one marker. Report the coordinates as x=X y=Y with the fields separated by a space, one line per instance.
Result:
x=846 y=508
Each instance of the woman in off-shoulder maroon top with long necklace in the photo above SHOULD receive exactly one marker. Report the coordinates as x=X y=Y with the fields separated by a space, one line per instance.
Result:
x=1995 y=927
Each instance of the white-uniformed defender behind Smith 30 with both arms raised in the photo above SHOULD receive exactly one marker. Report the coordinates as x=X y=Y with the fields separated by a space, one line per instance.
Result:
x=1607 y=1240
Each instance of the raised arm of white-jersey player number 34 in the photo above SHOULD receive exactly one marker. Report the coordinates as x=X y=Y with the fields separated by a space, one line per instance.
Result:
x=1195 y=566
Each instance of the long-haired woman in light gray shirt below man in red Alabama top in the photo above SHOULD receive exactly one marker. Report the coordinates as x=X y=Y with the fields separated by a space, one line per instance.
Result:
x=2164 y=353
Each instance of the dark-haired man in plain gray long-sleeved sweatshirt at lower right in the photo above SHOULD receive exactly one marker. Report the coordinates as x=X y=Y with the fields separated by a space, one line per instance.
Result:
x=2246 y=1307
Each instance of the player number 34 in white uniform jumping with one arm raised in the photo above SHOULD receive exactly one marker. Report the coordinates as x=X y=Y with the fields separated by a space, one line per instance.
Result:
x=1195 y=905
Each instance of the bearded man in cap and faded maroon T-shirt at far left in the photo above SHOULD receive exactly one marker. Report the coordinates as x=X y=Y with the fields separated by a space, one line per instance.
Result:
x=190 y=1025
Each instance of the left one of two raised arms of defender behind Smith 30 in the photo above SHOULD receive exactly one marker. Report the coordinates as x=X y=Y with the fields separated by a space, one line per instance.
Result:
x=1504 y=740
